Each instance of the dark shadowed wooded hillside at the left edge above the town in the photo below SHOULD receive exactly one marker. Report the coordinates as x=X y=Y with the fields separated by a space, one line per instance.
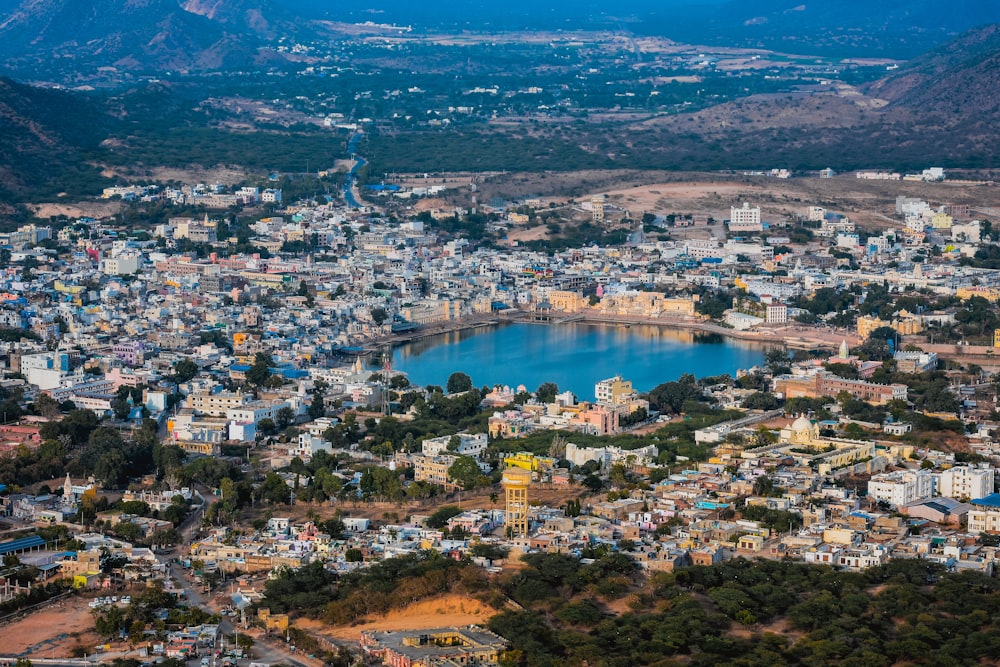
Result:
x=43 y=149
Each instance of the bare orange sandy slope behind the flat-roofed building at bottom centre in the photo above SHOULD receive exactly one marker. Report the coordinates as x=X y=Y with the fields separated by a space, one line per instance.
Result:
x=445 y=611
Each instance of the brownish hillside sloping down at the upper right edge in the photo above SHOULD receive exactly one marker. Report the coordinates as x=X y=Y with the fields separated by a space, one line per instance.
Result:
x=960 y=78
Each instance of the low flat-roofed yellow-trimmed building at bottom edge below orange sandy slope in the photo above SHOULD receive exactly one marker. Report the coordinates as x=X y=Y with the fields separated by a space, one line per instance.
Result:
x=469 y=645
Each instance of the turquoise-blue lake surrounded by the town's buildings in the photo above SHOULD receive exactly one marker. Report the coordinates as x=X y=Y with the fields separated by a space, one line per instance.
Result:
x=575 y=356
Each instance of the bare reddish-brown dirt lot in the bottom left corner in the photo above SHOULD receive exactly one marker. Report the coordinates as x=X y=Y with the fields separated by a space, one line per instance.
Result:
x=51 y=632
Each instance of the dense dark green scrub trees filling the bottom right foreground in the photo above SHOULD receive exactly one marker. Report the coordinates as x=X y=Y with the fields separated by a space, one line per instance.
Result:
x=907 y=612
